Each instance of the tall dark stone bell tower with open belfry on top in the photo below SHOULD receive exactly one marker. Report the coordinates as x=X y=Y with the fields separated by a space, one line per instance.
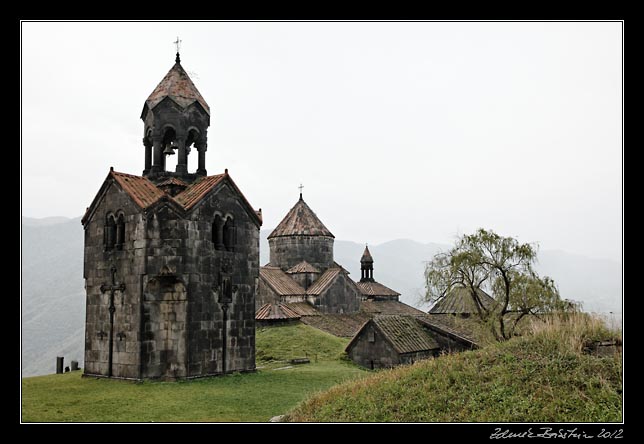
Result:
x=171 y=258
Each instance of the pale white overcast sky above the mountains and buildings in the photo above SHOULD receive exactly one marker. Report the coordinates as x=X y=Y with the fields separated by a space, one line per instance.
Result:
x=397 y=130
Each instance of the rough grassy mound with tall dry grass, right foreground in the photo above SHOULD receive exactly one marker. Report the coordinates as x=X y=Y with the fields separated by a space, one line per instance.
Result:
x=543 y=377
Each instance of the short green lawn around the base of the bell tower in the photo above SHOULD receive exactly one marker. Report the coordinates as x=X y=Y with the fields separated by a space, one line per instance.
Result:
x=273 y=390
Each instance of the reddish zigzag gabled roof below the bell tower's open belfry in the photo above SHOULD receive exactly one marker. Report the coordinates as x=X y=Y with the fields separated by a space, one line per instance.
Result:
x=145 y=193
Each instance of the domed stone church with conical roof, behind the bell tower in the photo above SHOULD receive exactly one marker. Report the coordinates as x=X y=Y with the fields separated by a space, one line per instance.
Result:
x=302 y=279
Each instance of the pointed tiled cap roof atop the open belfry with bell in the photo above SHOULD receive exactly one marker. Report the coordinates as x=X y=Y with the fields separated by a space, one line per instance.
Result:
x=177 y=86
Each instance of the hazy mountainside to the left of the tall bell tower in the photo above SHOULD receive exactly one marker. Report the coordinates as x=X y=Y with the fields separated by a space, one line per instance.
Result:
x=53 y=296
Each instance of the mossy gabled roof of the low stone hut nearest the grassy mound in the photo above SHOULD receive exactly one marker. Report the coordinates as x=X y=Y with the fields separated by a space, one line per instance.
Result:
x=404 y=333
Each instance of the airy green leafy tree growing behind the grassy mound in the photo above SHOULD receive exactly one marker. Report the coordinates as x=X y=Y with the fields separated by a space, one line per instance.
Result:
x=485 y=260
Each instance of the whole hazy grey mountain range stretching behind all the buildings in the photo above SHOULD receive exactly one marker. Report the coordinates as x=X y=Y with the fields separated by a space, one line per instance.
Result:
x=53 y=296
